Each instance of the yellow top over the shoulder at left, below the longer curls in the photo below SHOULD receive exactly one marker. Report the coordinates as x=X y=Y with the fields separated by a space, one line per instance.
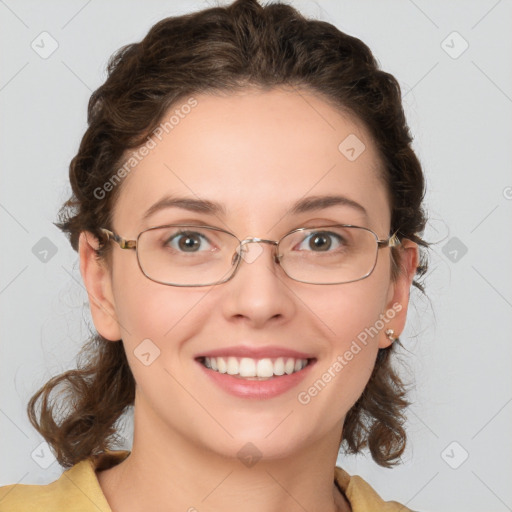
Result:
x=76 y=490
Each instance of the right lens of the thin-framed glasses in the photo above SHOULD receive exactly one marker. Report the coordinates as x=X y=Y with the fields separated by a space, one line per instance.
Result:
x=329 y=255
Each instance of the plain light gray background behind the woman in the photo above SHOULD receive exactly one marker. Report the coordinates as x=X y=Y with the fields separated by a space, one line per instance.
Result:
x=459 y=108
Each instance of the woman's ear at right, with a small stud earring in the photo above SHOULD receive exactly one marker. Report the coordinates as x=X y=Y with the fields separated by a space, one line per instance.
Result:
x=399 y=290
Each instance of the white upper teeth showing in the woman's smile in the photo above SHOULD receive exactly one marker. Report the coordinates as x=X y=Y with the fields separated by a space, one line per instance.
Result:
x=247 y=367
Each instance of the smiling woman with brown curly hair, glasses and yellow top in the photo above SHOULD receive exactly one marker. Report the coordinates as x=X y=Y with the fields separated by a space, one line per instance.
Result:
x=247 y=211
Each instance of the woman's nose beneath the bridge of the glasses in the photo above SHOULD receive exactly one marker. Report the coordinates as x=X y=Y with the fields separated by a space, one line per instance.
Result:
x=259 y=291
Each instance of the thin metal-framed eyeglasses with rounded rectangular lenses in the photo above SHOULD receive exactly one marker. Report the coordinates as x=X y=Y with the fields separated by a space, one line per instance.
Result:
x=193 y=255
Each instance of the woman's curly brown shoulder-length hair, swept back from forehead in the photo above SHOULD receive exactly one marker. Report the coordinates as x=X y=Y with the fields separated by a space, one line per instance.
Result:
x=226 y=49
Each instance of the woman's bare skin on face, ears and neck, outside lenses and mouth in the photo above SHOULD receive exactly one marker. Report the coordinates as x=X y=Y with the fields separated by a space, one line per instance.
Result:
x=256 y=153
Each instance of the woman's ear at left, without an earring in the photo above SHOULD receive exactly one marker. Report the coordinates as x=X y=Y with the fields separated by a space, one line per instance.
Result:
x=97 y=280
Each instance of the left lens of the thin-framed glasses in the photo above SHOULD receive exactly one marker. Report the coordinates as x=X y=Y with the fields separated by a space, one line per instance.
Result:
x=186 y=255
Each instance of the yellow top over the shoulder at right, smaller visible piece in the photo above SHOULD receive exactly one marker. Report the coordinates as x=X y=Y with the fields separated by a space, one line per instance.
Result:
x=362 y=496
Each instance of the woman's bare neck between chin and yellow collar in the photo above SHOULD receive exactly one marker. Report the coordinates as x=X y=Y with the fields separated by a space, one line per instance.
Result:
x=167 y=472
